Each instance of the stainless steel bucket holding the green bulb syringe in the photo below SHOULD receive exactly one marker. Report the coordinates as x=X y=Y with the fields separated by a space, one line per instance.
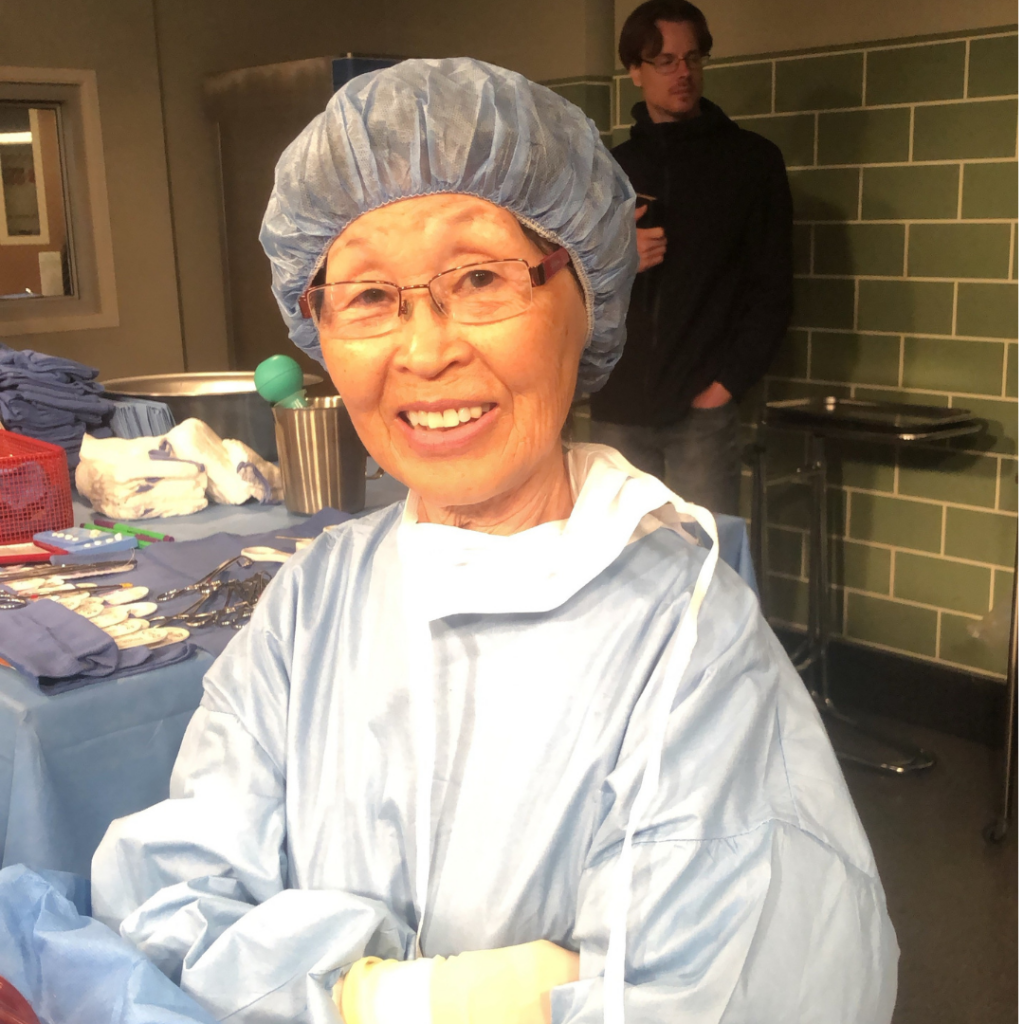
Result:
x=323 y=461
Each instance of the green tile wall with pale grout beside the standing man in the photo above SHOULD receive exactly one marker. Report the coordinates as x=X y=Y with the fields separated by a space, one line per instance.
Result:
x=904 y=173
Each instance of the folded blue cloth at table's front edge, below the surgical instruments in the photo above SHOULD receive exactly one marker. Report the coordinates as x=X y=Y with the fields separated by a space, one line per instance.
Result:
x=59 y=649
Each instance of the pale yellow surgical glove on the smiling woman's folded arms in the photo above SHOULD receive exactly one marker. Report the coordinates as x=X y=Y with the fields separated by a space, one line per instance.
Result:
x=492 y=987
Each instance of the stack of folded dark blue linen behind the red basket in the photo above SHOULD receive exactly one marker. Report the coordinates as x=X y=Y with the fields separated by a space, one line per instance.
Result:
x=53 y=400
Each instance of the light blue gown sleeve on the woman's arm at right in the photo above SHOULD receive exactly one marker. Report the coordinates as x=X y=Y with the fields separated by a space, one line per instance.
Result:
x=755 y=897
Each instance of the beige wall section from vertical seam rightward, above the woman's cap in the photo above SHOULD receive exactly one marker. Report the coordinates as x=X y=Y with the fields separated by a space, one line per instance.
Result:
x=198 y=38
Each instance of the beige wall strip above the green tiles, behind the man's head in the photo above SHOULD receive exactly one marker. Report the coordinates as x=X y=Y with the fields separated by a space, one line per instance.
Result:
x=749 y=27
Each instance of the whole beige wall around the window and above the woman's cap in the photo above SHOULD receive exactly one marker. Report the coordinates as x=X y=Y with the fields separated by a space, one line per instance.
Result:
x=164 y=200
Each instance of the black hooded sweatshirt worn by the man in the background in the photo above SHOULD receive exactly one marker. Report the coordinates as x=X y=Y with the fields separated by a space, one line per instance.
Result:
x=718 y=307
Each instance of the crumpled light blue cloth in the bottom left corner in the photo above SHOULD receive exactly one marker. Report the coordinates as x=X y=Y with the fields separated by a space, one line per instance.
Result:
x=72 y=969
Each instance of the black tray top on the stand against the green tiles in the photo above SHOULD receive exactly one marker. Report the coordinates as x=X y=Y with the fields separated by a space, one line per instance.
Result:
x=880 y=417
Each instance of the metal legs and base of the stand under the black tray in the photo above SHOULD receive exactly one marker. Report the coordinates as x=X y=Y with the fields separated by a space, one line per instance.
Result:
x=812 y=659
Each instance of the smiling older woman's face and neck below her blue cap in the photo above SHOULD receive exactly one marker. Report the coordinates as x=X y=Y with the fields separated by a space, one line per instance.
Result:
x=461 y=386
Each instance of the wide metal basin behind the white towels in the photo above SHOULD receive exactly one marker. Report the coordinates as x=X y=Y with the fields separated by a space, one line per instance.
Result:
x=226 y=402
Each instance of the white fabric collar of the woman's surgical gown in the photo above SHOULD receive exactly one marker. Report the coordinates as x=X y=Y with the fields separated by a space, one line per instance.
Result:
x=454 y=571
